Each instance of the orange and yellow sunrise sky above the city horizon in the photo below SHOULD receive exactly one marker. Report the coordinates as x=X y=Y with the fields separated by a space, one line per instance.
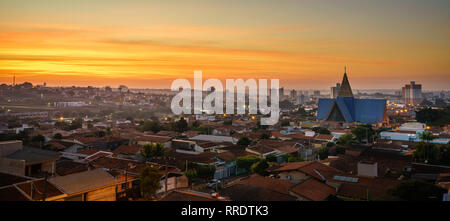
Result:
x=147 y=44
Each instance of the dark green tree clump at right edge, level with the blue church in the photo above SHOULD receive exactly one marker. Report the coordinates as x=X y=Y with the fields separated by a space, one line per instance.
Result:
x=438 y=117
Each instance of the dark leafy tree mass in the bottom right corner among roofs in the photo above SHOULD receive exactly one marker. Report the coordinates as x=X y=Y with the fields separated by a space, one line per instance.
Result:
x=417 y=190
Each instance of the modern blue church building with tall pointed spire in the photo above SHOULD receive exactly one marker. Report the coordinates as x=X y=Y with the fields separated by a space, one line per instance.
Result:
x=346 y=109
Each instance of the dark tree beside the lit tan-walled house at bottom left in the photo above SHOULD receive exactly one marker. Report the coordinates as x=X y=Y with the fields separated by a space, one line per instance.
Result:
x=149 y=179
